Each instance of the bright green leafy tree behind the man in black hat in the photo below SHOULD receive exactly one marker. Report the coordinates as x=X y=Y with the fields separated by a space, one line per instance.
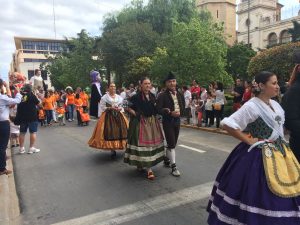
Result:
x=195 y=50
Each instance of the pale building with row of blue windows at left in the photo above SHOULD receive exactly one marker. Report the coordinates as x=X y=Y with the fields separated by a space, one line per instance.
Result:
x=31 y=53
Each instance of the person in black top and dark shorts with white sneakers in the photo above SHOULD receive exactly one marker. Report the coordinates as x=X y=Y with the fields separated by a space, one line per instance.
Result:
x=27 y=117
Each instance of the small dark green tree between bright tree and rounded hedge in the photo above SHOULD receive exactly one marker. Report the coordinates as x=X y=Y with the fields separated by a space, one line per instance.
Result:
x=238 y=58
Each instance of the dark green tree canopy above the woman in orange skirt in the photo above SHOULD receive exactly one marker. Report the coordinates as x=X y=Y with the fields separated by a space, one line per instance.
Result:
x=127 y=43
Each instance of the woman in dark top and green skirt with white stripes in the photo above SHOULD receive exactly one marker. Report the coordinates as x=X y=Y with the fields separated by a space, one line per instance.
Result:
x=145 y=146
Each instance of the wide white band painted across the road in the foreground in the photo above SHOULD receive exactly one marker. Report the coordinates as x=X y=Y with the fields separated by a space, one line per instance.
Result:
x=144 y=208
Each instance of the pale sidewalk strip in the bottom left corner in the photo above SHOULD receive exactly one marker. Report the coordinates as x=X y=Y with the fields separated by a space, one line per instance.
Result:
x=9 y=207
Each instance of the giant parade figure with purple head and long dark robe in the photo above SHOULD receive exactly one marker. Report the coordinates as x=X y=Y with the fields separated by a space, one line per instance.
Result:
x=96 y=94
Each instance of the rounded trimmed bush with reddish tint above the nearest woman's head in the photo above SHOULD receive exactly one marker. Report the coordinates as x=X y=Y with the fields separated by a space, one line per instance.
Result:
x=278 y=59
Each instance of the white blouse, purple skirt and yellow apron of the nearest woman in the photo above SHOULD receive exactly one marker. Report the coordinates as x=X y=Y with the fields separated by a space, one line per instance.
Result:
x=246 y=188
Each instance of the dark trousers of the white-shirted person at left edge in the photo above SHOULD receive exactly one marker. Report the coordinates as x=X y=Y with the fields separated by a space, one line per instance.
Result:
x=4 y=138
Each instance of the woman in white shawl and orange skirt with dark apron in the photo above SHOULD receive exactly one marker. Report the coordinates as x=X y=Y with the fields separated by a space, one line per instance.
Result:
x=110 y=132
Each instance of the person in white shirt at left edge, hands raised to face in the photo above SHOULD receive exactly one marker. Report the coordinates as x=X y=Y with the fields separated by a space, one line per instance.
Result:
x=5 y=102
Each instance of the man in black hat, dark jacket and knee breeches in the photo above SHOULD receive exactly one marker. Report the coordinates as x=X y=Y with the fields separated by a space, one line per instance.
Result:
x=170 y=104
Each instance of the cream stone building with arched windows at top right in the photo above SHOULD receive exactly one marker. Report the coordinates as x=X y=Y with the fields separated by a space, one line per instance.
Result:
x=260 y=24
